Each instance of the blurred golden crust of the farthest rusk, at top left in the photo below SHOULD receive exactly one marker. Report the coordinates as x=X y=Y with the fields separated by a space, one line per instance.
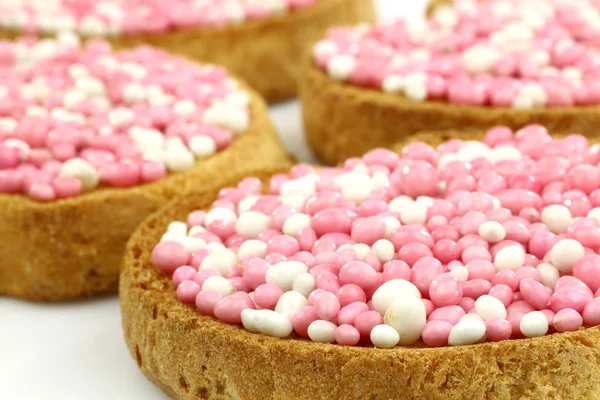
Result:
x=265 y=53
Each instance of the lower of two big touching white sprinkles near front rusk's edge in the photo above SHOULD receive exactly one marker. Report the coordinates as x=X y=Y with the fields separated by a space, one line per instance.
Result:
x=408 y=317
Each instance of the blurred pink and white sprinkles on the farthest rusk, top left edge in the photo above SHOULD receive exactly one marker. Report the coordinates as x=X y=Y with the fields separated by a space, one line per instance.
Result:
x=116 y=17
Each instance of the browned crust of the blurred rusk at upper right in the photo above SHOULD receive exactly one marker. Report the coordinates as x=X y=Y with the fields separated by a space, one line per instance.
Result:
x=343 y=121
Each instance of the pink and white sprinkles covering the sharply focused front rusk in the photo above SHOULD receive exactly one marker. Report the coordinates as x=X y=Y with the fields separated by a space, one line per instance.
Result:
x=468 y=242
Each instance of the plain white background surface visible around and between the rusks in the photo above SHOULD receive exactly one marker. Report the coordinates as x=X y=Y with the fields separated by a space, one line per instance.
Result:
x=76 y=351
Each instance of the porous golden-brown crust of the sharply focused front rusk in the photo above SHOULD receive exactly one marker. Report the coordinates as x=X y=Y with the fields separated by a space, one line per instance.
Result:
x=191 y=356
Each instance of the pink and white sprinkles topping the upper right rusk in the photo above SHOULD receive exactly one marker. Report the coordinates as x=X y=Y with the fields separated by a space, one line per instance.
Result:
x=504 y=53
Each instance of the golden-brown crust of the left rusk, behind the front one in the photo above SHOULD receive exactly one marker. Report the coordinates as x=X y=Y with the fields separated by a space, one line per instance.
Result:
x=73 y=248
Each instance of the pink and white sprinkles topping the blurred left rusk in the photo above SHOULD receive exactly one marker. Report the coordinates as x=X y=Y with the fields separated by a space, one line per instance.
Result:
x=73 y=118
